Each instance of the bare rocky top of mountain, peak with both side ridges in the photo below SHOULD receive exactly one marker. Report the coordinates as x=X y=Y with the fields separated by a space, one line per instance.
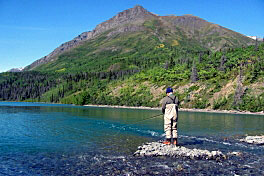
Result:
x=132 y=20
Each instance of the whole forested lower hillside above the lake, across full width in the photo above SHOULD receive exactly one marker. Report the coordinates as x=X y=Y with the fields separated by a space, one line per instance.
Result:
x=228 y=79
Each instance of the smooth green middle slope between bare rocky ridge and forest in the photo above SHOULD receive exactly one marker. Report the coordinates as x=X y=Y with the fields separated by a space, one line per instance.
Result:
x=122 y=52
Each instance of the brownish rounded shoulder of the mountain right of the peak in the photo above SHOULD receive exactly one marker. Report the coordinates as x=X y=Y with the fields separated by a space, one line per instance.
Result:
x=202 y=30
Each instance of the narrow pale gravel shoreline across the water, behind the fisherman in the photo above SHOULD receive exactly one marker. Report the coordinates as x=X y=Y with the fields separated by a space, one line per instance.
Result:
x=182 y=109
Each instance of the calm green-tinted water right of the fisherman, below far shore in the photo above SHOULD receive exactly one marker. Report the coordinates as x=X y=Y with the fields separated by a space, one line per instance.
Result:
x=210 y=124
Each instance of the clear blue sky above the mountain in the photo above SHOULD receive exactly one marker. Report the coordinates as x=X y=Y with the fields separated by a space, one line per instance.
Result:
x=31 y=29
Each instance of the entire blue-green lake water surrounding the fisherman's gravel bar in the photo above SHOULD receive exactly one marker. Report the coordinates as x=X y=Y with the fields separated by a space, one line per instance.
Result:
x=46 y=139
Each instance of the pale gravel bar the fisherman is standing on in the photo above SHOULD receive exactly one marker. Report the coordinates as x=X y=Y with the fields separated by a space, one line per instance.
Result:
x=159 y=149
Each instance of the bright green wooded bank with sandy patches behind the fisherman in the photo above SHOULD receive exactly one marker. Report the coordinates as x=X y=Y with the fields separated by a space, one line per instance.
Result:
x=213 y=70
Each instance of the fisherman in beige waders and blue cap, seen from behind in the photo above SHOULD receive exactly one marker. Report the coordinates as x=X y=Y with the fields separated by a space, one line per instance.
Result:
x=170 y=105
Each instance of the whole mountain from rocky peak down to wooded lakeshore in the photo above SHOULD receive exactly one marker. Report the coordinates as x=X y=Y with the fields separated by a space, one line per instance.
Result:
x=131 y=58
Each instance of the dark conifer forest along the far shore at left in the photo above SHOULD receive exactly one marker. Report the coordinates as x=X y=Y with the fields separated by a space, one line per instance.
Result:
x=32 y=85
